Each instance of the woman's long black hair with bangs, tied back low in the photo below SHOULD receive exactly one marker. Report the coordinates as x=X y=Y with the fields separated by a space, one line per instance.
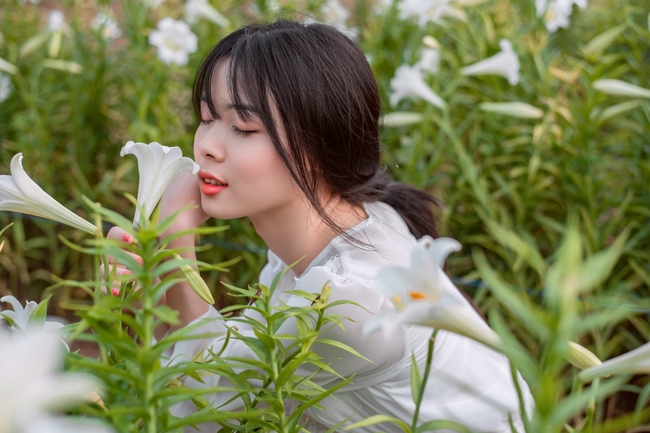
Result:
x=328 y=102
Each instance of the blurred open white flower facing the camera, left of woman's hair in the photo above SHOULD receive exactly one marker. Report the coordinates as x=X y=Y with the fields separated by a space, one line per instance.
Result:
x=174 y=40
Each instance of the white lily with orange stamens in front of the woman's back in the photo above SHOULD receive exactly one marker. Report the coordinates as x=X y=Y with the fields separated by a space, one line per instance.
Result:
x=424 y=295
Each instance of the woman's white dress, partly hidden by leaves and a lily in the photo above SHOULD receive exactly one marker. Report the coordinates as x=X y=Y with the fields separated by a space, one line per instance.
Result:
x=469 y=382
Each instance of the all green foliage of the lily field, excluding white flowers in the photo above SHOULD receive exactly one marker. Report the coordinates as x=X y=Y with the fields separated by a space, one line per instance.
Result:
x=553 y=212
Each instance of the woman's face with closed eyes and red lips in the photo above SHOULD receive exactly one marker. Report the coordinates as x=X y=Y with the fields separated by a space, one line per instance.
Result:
x=241 y=172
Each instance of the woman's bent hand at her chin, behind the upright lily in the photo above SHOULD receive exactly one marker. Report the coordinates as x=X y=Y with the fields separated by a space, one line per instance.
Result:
x=183 y=191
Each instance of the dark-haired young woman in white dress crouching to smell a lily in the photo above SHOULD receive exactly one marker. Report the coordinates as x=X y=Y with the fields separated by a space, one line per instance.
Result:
x=288 y=137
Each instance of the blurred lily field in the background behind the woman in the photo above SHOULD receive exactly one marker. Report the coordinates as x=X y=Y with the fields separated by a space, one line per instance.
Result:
x=510 y=112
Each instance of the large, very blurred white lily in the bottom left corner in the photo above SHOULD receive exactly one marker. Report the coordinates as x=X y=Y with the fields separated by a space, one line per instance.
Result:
x=31 y=385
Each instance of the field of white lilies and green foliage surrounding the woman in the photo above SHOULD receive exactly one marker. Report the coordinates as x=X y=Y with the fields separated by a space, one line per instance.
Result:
x=529 y=121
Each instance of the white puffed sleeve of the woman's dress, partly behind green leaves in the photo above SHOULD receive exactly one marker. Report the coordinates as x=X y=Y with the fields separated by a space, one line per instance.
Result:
x=381 y=353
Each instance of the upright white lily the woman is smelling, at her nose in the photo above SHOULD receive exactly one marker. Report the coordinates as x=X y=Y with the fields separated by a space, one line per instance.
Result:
x=158 y=166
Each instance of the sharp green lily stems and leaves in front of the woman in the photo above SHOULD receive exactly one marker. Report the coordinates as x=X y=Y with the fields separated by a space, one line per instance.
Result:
x=142 y=384
